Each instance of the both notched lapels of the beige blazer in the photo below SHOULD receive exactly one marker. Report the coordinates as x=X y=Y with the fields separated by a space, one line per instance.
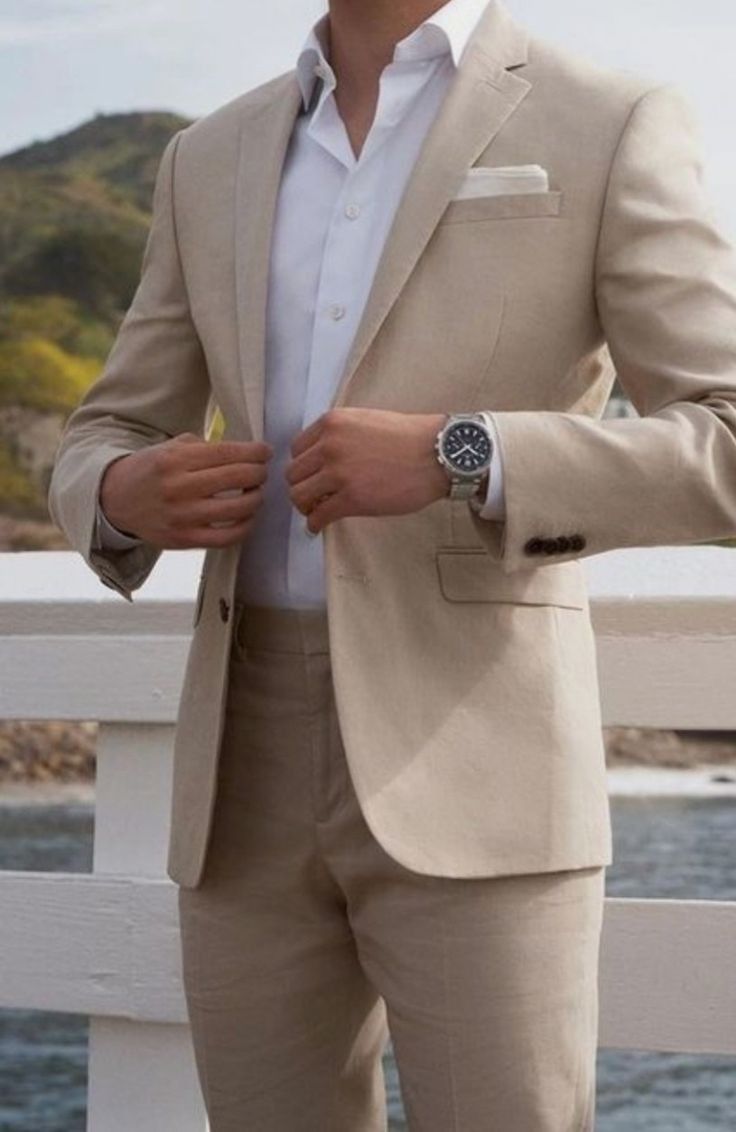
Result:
x=482 y=98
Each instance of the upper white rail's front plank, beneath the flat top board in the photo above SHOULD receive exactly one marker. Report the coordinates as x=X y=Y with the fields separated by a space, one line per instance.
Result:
x=670 y=682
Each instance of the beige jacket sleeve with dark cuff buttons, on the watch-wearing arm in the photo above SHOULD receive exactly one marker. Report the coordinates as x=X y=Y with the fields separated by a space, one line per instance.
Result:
x=665 y=285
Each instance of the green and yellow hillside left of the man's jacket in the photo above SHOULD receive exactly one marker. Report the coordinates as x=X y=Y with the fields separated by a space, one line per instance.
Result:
x=74 y=218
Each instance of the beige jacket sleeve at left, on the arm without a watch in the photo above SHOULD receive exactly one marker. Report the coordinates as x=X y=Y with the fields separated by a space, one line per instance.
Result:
x=155 y=385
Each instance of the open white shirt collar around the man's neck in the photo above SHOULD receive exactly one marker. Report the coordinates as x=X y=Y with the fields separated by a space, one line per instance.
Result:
x=446 y=32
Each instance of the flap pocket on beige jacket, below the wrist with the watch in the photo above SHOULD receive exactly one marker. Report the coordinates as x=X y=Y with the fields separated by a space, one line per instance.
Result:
x=472 y=576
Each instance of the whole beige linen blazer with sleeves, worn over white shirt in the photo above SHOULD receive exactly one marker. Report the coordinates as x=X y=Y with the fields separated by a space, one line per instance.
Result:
x=465 y=662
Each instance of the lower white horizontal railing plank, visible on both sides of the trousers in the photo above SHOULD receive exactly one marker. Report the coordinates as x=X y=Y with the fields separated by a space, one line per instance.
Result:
x=108 y=946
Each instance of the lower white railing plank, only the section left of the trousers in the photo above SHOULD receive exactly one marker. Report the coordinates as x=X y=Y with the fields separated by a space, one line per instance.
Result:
x=91 y=945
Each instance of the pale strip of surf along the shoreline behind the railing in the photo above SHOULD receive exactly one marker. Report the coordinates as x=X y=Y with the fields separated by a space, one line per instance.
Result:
x=706 y=782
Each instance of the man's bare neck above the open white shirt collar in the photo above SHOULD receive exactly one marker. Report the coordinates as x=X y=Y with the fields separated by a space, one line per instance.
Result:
x=363 y=37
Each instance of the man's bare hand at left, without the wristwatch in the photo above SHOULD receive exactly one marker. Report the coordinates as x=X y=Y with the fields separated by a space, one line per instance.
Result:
x=166 y=494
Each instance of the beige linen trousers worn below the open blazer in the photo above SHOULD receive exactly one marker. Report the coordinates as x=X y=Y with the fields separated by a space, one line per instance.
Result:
x=305 y=944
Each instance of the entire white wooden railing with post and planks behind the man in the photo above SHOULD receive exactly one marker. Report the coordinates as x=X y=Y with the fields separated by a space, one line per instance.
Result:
x=106 y=945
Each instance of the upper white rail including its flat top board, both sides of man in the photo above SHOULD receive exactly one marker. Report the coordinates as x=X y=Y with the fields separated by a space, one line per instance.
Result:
x=665 y=623
